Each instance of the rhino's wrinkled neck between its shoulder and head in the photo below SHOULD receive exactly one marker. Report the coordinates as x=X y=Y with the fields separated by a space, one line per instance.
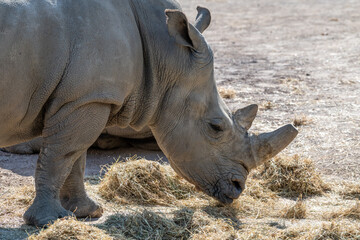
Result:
x=142 y=106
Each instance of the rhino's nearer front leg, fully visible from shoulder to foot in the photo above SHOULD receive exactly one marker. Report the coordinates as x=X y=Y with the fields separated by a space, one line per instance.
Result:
x=65 y=140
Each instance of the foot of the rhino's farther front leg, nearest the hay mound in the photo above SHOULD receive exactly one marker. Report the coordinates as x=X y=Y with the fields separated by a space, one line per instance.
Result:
x=82 y=207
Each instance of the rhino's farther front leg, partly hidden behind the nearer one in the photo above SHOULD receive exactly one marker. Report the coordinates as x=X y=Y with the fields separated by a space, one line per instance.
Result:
x=73 y=196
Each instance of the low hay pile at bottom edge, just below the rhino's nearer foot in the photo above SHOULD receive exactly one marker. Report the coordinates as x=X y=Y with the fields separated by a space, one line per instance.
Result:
x=70 y=228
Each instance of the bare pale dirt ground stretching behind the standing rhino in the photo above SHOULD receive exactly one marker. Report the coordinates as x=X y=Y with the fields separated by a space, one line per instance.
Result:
x=297 y=59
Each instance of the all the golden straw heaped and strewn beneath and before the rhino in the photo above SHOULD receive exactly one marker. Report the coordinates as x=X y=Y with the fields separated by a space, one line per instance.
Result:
x=196 y=216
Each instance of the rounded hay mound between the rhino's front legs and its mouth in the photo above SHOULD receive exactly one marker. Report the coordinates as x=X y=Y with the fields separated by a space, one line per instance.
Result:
x=144 y=182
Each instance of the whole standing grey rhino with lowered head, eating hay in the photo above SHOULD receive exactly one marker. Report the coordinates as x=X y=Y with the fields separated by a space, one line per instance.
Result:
x=69 y=69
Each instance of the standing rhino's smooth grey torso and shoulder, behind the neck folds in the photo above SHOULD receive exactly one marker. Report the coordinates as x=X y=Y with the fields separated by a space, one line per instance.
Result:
x=63 y=54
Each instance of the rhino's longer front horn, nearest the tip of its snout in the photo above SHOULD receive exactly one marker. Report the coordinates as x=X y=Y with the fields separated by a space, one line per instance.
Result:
x=267 y=145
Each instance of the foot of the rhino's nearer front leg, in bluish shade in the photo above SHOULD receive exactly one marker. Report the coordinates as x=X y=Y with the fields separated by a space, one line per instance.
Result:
x=41 y=213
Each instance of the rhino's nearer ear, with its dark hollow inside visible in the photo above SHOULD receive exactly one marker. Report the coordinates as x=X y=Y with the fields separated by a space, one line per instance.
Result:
x=184 y=33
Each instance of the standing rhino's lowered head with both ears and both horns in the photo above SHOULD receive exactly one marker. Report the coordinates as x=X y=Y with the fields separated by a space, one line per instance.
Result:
x=204 y=142
